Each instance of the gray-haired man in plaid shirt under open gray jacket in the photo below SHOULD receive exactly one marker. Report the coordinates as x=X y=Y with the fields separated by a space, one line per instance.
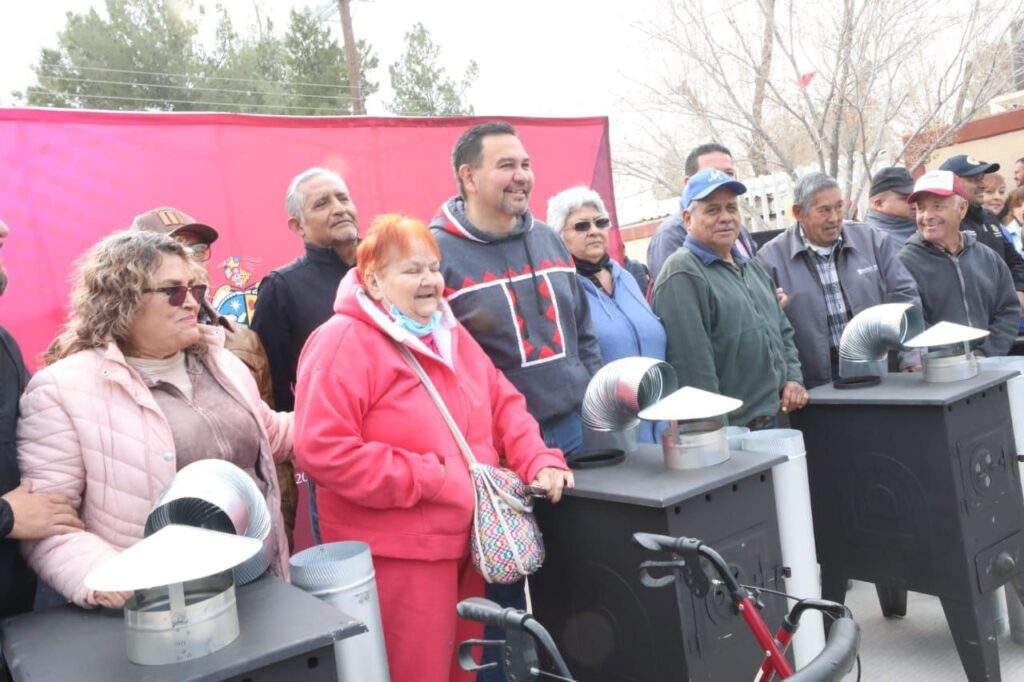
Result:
x=832 y=271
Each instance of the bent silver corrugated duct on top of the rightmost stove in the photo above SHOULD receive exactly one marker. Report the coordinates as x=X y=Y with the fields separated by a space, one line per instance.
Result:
x=864 y=350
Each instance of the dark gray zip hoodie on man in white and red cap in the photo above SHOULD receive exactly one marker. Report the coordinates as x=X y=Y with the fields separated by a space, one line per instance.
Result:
x=973 y=288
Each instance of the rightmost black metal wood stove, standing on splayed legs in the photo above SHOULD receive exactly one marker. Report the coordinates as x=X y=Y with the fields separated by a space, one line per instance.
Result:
x=915 y=486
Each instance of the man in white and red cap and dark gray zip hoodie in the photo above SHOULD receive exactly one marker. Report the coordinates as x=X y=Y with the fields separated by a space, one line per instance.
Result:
x=960 y=279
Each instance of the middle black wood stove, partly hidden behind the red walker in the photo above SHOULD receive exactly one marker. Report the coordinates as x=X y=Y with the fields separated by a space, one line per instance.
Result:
x=610 y=627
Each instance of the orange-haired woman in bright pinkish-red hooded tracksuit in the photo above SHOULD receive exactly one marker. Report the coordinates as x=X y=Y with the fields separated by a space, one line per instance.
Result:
x=388 y=470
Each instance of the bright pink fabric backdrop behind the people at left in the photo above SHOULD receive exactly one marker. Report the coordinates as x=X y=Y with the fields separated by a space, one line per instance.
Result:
x=69 y=178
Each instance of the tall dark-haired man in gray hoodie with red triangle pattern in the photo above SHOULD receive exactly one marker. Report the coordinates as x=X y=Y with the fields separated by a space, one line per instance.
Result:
x=513 y=284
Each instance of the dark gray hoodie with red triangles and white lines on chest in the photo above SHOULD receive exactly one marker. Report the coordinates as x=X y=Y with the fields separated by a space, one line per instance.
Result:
x=519 y=295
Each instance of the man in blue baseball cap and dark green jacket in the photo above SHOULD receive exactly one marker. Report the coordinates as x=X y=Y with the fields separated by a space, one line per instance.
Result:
x=727 y=331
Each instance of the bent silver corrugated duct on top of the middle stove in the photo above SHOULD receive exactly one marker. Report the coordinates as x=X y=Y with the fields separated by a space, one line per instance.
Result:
x=622 y=389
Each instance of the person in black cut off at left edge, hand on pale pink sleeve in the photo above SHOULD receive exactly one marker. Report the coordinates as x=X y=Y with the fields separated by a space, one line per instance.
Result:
x=23 y=516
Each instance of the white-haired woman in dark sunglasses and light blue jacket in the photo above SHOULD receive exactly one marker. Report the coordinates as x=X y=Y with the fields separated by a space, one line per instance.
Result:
x=623 y=320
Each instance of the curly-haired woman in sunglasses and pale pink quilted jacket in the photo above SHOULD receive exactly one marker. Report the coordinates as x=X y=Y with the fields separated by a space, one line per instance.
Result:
x=135 y=391
